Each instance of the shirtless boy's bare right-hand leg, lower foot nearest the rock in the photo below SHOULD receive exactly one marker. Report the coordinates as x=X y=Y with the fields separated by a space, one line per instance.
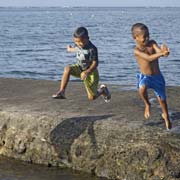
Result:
x=165 y=114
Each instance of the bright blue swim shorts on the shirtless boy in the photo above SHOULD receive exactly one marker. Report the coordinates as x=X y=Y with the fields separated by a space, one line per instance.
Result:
x=155 y=82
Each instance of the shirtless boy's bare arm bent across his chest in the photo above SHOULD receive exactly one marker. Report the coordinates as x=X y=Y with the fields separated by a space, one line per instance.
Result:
x=148 y=57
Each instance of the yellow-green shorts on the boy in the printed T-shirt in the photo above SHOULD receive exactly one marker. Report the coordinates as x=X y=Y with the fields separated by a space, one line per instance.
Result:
x=91 y=82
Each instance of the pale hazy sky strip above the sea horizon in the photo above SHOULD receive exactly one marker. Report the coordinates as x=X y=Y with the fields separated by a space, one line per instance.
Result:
x=121 y=3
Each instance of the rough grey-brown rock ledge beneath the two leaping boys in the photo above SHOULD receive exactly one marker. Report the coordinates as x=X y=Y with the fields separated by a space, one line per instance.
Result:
x=111 y=140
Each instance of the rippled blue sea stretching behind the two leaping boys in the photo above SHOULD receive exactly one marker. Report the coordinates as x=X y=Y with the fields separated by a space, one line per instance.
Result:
x=33 y=41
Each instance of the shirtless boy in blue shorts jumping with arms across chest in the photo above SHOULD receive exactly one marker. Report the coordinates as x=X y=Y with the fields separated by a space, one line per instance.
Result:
x=147 y=53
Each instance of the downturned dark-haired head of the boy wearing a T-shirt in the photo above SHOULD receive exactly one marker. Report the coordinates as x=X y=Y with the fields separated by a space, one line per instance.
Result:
x=81 y=37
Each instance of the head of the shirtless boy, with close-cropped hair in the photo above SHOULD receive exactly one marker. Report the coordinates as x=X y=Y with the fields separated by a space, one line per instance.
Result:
x=140 y=30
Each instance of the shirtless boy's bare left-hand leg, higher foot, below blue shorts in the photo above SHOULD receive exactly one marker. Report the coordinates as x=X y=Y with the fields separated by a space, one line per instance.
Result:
x=144 y=96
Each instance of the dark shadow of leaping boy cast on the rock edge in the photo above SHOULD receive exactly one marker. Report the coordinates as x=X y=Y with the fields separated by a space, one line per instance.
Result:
x=64 y=134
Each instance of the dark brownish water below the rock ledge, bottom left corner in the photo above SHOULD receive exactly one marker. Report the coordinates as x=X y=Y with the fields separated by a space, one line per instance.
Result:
x=15 y=170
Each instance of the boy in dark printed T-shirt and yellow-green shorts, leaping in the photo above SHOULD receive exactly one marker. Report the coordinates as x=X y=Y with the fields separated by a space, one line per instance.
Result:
x=85 y=68
